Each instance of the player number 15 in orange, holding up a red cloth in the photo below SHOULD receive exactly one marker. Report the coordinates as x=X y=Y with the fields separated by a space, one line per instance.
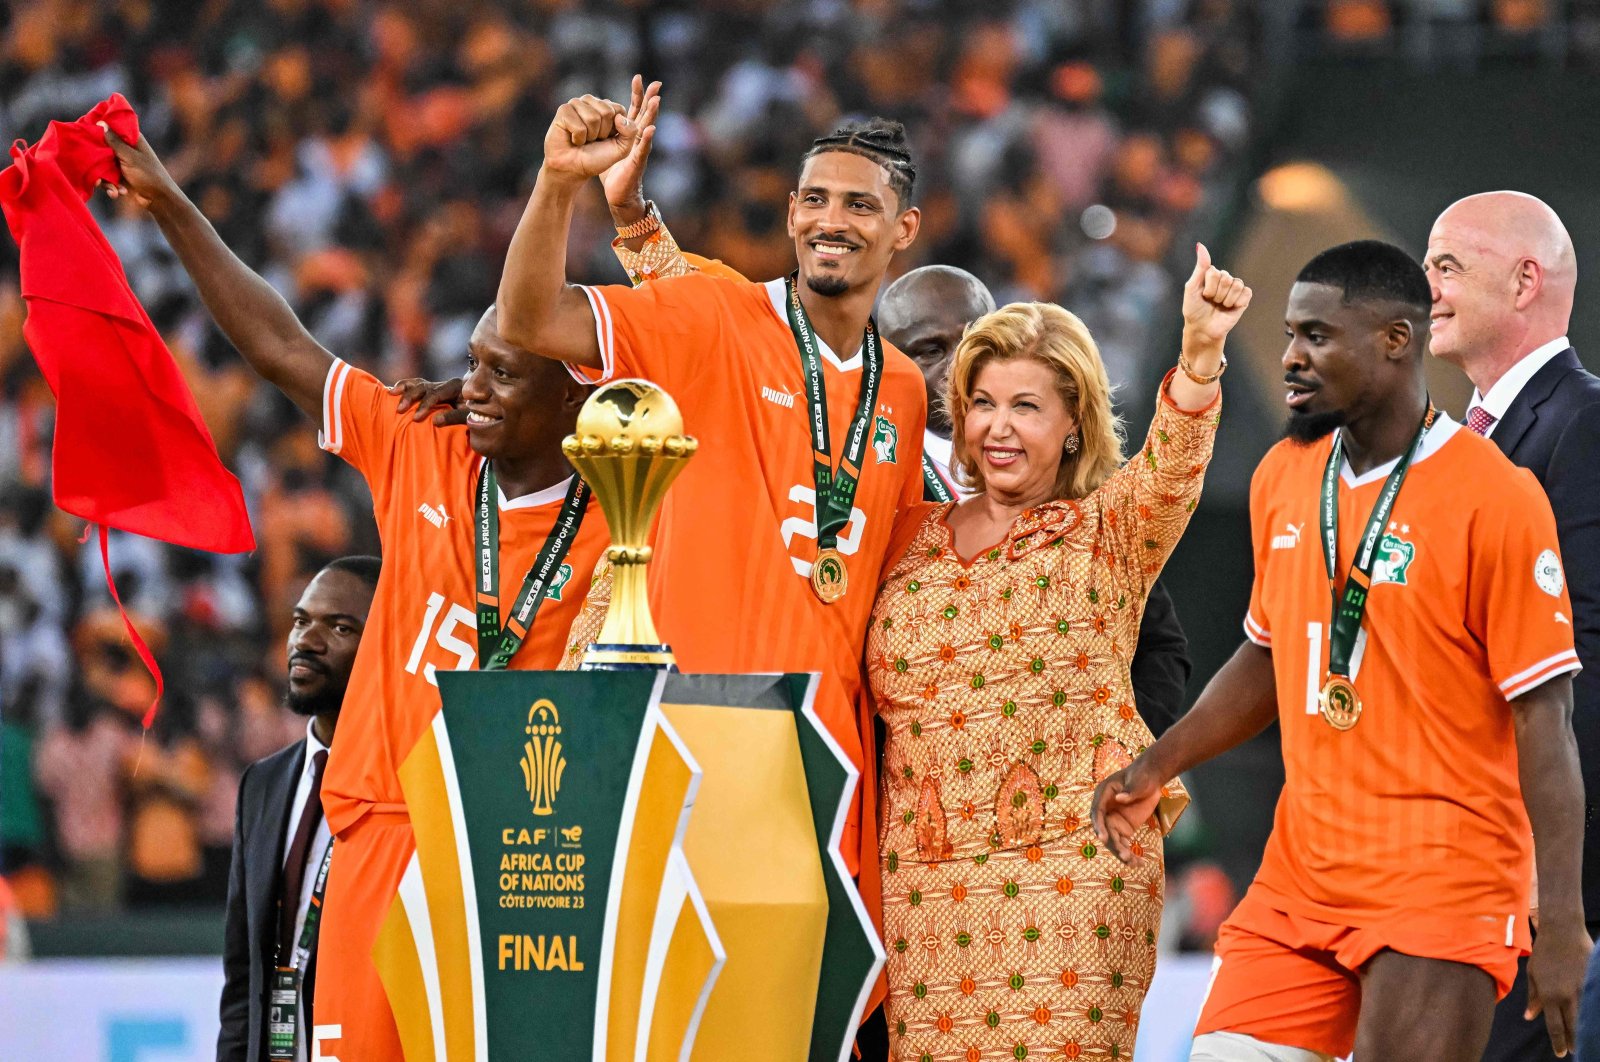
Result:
x=431 y=490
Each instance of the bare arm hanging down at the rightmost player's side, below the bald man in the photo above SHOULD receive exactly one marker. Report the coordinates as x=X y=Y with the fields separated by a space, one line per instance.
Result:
x=1553 y=791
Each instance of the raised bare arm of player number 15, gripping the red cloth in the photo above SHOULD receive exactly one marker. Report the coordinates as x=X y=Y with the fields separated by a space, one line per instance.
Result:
x=254 y=317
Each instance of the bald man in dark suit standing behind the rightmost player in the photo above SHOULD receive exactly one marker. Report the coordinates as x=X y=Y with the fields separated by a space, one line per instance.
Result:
x=1505 y=276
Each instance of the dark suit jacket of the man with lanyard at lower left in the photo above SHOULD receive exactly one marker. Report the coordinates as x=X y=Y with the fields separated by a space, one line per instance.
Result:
x=260 y=834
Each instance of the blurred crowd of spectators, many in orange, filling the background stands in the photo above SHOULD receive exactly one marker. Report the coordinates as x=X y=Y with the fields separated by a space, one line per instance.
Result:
x=372 y=159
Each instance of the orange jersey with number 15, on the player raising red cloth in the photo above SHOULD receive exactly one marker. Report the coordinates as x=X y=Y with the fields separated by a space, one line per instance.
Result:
x=423 y=615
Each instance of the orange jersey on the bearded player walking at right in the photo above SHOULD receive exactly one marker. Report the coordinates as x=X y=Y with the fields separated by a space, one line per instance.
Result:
x=1417 y=812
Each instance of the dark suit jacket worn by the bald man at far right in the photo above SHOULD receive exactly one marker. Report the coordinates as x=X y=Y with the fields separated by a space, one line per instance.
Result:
x=1553 y=429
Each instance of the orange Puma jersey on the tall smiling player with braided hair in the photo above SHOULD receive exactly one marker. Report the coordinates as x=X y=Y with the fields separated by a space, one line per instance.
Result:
x=730 y=585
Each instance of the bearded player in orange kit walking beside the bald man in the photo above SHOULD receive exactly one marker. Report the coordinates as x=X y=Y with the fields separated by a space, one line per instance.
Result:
x=1412 y=634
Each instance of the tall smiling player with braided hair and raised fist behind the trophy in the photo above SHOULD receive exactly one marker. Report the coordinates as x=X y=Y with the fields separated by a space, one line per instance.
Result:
x=810 y=425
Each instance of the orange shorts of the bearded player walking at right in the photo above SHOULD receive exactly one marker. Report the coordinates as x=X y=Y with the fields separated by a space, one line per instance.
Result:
x=1295 y=981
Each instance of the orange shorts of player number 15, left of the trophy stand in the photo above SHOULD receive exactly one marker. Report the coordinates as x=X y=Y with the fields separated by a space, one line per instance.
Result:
x=364 y=879
